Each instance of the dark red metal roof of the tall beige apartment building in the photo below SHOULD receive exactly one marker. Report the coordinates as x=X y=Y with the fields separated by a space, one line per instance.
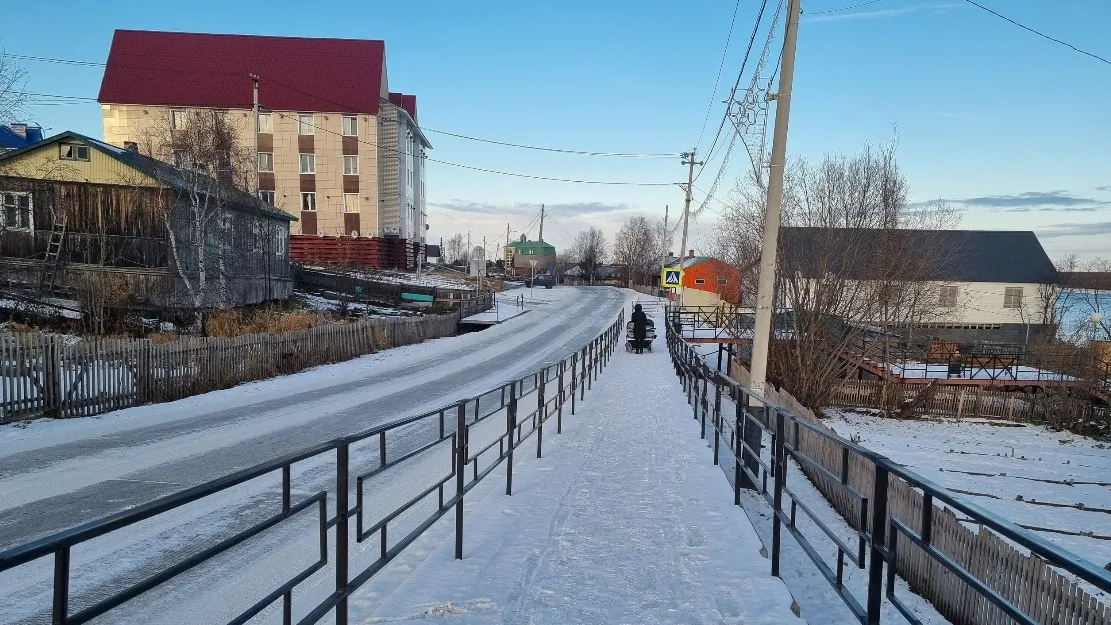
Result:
x=297 y=74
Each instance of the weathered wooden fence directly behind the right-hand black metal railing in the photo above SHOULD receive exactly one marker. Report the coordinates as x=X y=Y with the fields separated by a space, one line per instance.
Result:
x=1037 y=589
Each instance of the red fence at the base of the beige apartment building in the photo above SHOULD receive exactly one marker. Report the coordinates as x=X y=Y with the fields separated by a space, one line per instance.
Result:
x=374 y=253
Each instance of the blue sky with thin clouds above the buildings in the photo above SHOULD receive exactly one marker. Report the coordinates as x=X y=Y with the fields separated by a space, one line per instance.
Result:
x=1008 y=126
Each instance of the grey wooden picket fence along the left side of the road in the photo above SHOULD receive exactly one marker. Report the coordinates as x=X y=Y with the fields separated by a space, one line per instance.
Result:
x=47 y=376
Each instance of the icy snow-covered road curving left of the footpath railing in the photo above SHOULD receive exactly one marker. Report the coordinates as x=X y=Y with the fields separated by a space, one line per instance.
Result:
x=57 y=475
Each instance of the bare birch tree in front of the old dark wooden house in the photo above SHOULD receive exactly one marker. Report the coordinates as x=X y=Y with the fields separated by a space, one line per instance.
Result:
x=211 y=169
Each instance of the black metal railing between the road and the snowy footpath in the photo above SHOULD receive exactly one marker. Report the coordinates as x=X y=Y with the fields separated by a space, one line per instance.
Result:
x=466 y=438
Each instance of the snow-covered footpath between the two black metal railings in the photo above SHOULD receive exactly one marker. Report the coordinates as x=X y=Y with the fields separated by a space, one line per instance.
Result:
x=625 y=520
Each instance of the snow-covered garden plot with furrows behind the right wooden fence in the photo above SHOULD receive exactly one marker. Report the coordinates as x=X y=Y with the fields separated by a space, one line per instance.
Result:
x=1010 y=469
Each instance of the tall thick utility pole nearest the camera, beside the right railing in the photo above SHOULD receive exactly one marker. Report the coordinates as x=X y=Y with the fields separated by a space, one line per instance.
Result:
x=766 y=289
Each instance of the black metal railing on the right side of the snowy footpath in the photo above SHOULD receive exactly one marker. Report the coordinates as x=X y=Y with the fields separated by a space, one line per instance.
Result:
x=762 y=438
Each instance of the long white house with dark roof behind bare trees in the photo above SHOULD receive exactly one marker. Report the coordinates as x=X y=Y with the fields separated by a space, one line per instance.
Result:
x=989 y=284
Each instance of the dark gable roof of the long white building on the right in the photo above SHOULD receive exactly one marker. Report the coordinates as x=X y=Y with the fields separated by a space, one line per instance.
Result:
x=968 y=256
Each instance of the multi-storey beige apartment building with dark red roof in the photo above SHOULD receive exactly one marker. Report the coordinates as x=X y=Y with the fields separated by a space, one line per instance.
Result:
x=335 y=147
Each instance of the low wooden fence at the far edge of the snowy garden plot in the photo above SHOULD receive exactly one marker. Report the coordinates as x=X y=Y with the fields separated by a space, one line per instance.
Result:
x=963 y=401
